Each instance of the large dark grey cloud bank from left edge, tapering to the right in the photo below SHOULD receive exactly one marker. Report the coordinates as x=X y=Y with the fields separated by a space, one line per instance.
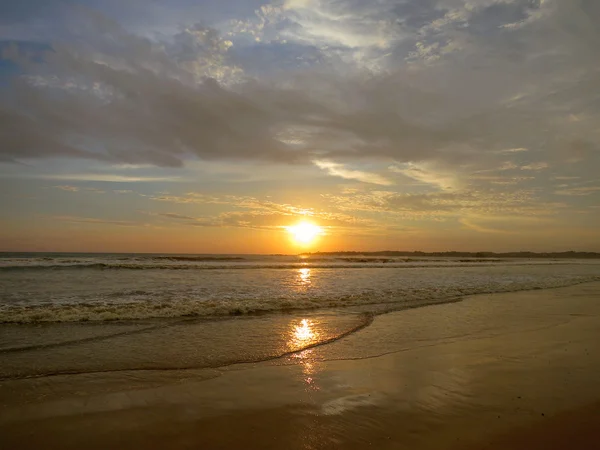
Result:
x=138 y=102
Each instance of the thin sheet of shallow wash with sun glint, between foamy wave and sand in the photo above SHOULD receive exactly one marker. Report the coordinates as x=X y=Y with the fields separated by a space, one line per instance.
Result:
x=77 y=348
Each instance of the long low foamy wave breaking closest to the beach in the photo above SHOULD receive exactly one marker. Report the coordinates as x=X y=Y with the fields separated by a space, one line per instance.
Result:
x=382 y=301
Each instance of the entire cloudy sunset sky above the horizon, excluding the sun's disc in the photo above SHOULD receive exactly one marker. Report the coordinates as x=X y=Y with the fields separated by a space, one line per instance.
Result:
x=209 y=127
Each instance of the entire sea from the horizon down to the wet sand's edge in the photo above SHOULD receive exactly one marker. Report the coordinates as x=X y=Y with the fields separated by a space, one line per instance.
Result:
x=64 y=314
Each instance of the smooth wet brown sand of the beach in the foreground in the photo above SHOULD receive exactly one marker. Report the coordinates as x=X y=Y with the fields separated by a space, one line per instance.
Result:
x=512 y=371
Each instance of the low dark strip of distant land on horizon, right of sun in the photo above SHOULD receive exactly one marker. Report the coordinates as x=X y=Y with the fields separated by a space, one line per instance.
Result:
x=523 y=254
